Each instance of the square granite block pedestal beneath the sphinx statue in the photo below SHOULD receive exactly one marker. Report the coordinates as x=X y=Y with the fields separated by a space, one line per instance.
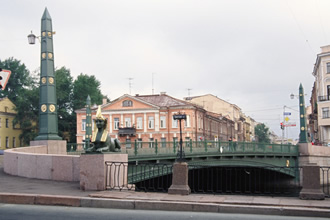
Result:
x=93 y=171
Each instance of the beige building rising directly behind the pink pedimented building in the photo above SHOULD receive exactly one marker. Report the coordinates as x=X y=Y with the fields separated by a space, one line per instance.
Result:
x=243 y=127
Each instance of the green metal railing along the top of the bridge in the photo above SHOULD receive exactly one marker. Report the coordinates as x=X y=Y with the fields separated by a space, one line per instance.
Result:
x=147 y=149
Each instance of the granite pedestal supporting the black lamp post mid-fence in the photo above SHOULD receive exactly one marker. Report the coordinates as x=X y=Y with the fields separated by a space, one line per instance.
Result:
x=180 y=179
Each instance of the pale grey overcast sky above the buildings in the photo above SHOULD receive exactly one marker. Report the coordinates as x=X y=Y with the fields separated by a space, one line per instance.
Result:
x=252 y=53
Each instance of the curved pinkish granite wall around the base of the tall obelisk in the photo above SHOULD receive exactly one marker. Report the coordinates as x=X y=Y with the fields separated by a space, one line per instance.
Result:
x=36 y=162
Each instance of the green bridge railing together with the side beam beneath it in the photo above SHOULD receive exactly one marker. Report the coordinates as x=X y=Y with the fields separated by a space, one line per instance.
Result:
x=216 y=153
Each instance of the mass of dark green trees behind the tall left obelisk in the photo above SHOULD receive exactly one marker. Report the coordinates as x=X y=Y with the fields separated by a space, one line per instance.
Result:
x=23 y=90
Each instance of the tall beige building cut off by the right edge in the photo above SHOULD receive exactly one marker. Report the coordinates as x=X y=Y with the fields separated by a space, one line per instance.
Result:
x=321 y=105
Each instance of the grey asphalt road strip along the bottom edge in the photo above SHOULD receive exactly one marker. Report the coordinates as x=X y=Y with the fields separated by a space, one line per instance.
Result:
x=33 y=212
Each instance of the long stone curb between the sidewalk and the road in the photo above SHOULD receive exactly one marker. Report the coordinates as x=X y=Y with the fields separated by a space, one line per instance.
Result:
x=74 y=201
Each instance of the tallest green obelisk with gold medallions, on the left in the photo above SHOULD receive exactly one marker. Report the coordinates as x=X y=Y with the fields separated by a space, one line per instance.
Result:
x=48 y=121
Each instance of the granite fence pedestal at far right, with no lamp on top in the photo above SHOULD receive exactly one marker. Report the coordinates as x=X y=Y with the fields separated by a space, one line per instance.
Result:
x=311 y=183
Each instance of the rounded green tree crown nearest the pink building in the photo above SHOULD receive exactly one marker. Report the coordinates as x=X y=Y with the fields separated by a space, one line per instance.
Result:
x=83 y=86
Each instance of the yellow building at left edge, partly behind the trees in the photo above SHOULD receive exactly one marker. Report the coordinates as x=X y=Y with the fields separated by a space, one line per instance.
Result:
x=9 y=133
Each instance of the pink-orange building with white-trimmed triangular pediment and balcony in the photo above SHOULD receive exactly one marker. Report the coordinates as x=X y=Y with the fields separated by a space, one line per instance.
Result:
x=146 y=118
